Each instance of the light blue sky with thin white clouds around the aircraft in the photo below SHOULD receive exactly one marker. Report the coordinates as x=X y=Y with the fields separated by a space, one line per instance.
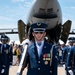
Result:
x=13 y=10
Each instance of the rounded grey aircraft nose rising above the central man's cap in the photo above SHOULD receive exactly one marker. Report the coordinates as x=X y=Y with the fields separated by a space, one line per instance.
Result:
x=47 y=11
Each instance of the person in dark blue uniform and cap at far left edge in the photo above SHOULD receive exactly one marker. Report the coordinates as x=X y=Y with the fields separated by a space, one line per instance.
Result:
x=6 y=55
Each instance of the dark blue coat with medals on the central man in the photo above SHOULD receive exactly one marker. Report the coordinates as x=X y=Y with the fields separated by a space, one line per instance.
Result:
x=42 y=65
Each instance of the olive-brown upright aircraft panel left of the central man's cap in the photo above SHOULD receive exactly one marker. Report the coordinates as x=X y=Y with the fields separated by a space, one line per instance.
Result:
x=22 y=30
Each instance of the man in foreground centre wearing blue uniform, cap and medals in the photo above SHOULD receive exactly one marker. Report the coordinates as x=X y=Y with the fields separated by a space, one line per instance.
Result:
x=41 y=56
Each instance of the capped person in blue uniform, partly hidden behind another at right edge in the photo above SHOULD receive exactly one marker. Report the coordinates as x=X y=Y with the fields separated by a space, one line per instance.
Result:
x=67 y=52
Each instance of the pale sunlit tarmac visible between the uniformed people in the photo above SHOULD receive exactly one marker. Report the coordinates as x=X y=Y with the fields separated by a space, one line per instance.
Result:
x=13 y=70
